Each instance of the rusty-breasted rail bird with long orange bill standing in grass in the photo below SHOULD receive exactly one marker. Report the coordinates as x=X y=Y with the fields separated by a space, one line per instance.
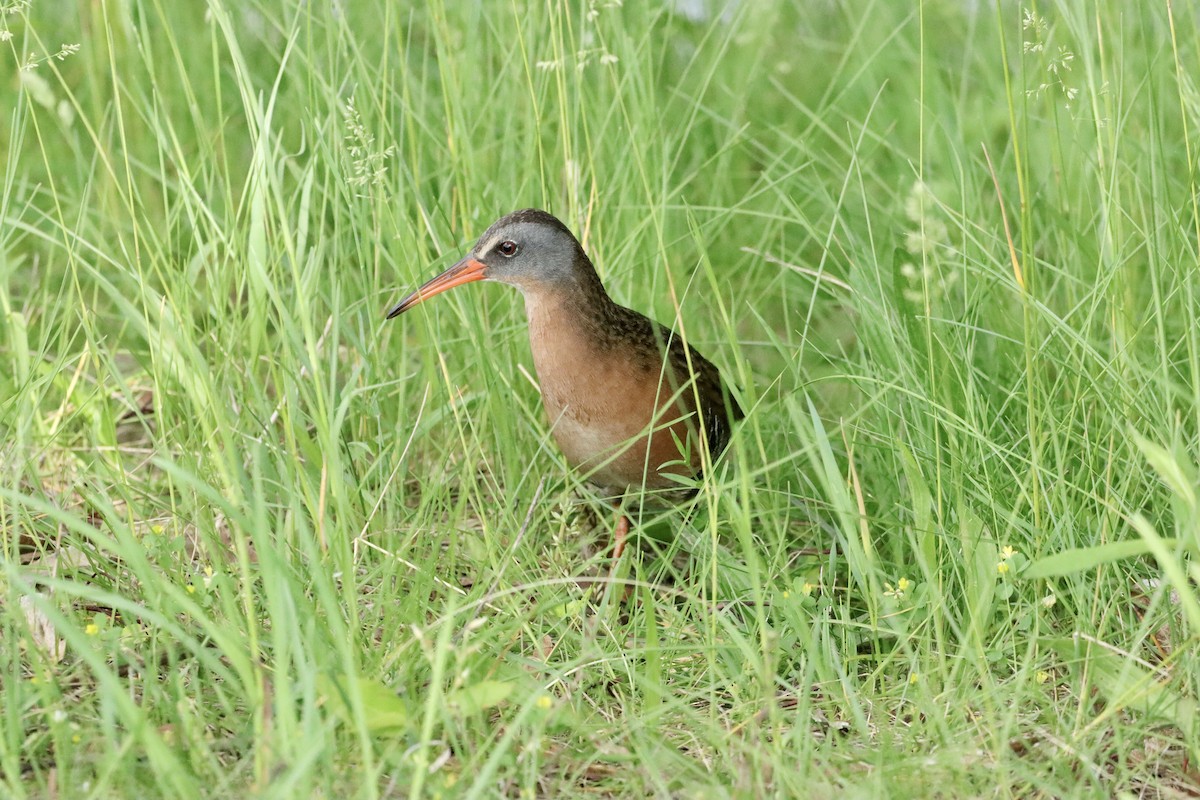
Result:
x=631 y=405
